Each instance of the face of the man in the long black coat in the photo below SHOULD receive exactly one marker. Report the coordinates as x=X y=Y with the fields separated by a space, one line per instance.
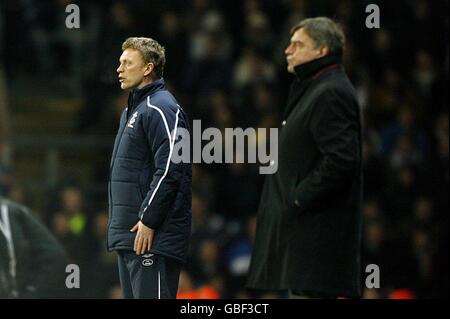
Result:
x=301 y=50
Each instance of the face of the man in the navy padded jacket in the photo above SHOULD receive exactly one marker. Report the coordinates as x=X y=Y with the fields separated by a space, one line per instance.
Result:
x=132 y=70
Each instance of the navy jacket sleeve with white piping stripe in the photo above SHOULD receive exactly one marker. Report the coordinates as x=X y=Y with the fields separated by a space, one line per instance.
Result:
x=161 y=131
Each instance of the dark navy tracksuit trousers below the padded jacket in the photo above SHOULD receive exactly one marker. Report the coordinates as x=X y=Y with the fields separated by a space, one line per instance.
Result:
x=148 y=276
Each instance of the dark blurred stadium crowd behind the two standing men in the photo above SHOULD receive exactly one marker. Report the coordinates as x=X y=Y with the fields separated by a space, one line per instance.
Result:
x=60 y=101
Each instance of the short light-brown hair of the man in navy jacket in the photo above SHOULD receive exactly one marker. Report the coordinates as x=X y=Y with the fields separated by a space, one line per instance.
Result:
x=151 y=51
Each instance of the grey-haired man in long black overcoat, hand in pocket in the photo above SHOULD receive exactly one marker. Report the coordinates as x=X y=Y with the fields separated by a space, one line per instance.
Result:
x=309 y=220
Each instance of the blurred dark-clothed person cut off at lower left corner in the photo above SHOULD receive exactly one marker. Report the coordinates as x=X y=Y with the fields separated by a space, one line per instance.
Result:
x=32 y=262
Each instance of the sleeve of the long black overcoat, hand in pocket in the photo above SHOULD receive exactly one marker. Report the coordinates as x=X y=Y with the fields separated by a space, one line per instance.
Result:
x=334 y=127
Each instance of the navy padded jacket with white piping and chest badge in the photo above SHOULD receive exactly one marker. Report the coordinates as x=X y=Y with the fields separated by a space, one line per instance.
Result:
x=144 y=183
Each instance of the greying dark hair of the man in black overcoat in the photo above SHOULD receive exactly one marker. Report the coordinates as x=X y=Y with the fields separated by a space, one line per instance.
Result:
x=324 y=32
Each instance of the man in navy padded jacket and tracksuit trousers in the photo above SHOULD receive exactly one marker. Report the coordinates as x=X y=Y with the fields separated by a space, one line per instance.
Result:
x=149 y=194
